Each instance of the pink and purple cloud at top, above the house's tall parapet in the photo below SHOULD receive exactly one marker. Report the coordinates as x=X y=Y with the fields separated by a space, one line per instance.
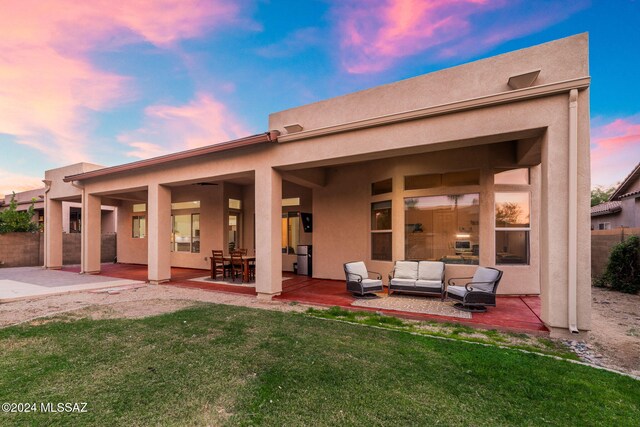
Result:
x=374 y=36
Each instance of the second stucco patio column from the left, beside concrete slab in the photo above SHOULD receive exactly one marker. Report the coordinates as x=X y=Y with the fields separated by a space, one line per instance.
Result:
x=91 y=233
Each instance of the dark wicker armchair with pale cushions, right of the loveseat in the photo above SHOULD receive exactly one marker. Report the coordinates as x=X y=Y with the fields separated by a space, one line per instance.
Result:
x=476 y=294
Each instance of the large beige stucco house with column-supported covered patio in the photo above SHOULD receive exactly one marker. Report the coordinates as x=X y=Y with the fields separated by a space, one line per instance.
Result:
x=486 y=163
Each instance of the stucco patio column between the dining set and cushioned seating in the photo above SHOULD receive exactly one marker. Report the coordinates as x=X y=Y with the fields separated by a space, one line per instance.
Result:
x=268 y=197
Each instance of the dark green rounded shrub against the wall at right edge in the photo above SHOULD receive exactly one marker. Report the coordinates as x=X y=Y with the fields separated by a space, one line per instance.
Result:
x=623 y=269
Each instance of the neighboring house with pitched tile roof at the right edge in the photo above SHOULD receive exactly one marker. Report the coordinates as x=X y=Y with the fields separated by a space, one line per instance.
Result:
x=623 y=207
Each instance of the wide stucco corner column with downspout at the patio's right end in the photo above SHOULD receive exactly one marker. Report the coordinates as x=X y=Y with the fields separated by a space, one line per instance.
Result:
x=565 y=251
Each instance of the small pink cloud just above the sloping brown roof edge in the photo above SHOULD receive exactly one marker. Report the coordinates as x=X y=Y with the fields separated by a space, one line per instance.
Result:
x=167 y=128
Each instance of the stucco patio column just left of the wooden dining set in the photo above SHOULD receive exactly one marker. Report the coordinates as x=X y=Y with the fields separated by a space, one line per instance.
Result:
x=159 y=230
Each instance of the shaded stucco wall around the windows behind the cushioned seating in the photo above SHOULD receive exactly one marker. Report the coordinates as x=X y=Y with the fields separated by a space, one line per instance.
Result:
x=342 y=229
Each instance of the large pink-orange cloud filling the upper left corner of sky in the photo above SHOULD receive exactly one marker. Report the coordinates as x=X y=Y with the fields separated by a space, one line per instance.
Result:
x=49 y=87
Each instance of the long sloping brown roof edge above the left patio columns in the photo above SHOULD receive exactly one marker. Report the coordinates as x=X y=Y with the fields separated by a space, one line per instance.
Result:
x=266 y=137
